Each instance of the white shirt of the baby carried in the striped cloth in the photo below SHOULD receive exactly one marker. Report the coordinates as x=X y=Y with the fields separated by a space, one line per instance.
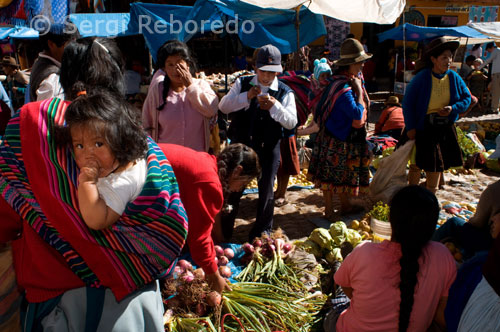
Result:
x=118 y=189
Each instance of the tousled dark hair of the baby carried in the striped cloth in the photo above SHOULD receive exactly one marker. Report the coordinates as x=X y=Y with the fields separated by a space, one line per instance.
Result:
x=110 y=114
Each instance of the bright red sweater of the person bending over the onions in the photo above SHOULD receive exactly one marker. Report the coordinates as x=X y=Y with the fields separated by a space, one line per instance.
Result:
x=202 y=196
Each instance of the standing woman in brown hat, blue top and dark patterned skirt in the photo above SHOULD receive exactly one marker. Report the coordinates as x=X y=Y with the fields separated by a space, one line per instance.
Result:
x=340 y=157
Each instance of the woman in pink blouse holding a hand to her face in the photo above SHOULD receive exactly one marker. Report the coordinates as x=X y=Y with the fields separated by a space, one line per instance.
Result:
x=178 y=110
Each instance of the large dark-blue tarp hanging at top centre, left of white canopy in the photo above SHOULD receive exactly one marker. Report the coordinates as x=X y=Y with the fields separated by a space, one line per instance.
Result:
x=255 y=26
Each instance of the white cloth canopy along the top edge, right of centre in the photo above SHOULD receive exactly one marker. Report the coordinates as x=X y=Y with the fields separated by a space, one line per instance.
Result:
x=374 y=11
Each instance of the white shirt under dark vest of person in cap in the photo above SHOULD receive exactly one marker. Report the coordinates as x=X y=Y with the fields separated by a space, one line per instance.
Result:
x=285 y=113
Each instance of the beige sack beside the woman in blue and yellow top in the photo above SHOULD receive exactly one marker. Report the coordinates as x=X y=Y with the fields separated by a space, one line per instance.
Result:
x=391 y=174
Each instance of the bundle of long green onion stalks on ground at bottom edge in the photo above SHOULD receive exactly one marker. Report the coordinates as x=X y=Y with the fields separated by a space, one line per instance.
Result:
x=264 y=307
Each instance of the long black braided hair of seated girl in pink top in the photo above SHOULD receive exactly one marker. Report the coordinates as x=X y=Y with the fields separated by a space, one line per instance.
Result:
x=413 y=215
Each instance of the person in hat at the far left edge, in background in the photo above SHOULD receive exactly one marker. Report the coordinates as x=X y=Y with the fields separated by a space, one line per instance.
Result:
x=17 y=81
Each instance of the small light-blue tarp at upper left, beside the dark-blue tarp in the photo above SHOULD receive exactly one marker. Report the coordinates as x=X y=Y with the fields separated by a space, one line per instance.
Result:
x=102 y=25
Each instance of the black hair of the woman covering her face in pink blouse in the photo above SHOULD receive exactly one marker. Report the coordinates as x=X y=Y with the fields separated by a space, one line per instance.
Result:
x=170 y=48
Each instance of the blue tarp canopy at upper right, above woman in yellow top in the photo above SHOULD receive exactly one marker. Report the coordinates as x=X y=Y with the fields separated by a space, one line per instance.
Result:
x=418 y=33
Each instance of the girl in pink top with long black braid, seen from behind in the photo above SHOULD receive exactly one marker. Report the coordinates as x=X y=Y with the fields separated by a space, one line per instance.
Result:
x=401 y=284
